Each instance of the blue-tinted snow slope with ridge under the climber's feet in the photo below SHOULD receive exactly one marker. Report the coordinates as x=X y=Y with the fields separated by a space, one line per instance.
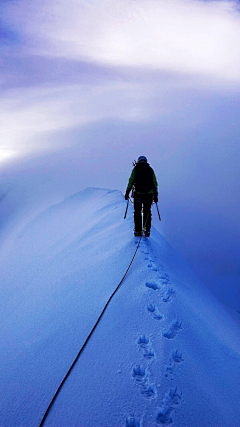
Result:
x=165 y=352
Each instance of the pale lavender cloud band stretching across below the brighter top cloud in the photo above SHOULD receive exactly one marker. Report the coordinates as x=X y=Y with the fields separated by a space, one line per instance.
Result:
x=30 y=116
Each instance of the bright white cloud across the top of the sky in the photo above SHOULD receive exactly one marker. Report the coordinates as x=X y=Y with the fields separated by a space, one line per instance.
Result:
x=189 y=36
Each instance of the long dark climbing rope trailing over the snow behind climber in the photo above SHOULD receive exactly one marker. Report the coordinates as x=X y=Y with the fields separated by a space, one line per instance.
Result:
x=87 y=339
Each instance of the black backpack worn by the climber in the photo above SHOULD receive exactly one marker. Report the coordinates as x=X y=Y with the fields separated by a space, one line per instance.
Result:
x=143 y=178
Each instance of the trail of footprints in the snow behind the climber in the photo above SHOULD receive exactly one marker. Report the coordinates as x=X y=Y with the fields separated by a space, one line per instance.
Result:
x=159 y=295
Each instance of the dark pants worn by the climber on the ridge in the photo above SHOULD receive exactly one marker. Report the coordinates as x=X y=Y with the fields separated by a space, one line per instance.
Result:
x=142 y=203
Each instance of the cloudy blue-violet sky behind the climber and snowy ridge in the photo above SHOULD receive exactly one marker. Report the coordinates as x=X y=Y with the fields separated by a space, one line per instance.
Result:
x=88 y=87
